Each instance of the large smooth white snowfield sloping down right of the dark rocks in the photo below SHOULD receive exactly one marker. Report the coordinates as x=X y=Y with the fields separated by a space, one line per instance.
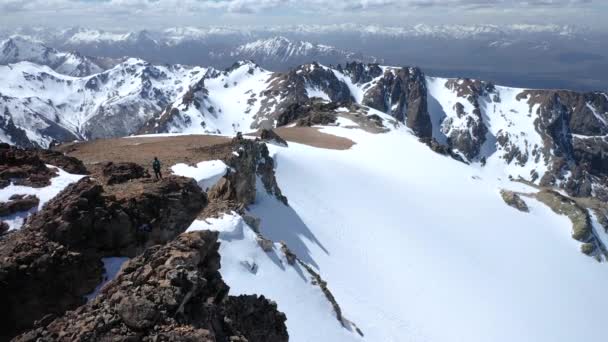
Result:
x=415 y=247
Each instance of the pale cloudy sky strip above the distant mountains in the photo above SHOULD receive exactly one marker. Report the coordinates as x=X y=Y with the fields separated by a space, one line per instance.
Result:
x=163 y=13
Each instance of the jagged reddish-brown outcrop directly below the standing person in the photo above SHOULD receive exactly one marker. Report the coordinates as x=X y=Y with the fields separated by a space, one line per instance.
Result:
x=83 y=217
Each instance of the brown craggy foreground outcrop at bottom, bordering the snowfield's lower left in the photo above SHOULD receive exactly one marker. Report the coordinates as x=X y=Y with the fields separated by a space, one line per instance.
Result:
x=170 y=293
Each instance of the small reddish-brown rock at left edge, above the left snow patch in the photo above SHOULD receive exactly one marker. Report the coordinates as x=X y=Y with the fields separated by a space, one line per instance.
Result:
x=23 y=167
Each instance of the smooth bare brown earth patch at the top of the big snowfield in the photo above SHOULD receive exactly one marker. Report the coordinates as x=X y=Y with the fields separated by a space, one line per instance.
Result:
x=312 y=136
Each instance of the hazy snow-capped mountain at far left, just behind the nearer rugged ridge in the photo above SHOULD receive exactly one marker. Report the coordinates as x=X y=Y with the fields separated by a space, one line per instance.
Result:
x=18 y=49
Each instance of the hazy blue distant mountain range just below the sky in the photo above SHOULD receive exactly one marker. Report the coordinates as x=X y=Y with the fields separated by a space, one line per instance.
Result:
x=538 y=56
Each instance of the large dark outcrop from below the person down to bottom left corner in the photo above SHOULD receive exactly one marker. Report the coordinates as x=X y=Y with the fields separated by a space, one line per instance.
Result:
x=54 y=260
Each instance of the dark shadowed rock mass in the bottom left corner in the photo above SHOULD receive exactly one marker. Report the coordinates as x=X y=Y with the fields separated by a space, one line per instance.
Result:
x=39 y=277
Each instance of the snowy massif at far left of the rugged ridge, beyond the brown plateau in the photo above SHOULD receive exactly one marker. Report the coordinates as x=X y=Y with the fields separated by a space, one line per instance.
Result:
x=48 y=105
